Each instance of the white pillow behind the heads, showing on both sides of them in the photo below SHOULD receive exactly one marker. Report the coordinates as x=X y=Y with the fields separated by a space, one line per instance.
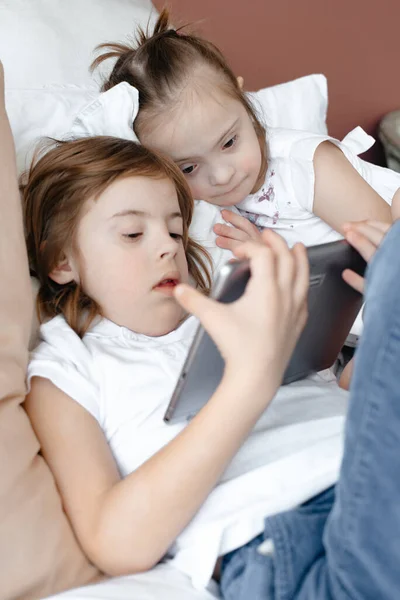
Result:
x=298 y=104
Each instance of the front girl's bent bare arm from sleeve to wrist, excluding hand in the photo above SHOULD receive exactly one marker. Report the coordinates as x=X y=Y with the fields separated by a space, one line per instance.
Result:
x=126 y=525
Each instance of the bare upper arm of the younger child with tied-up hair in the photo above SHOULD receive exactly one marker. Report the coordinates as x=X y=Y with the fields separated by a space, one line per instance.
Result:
x=341 y=194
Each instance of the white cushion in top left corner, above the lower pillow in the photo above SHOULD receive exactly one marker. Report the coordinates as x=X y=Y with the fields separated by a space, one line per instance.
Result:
x=47 y=42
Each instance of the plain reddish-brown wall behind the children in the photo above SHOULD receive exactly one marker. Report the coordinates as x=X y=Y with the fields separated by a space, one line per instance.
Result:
x=355 y=43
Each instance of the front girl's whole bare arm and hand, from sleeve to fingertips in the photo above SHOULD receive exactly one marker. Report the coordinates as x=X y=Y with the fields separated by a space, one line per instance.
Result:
x=127 y=525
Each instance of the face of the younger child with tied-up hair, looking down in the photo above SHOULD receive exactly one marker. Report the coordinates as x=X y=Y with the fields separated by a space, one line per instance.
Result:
x=212 y=139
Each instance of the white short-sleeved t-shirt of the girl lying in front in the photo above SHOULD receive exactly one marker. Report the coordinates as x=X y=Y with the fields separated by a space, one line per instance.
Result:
x=125 y=380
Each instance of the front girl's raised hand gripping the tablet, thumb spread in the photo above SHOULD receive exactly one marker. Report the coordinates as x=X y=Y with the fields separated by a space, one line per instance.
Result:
x=256 y=334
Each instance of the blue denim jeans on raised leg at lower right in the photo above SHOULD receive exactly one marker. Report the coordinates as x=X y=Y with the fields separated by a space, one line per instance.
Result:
x=345 y=543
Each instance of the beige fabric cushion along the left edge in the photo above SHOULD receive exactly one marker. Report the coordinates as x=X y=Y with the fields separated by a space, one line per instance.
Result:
x=38 y=552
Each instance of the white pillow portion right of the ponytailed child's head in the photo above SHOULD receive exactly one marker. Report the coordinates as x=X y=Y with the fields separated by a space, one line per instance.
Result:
x=298 y=104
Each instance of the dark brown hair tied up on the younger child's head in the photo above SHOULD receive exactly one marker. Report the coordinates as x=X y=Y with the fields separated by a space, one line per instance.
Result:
x=160 y=63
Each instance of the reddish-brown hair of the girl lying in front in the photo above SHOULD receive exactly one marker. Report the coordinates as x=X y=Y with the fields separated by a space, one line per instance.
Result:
x=54 y=192
